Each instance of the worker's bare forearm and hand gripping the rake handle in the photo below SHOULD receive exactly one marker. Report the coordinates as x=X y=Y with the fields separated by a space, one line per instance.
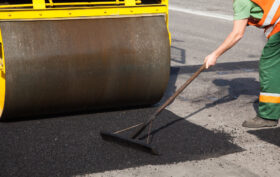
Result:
x=237 y=33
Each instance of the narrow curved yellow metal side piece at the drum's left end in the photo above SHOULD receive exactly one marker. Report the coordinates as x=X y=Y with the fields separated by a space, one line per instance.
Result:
x=2 y=76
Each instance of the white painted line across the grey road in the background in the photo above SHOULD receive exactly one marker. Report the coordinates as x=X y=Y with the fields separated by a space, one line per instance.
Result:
x=201 y=13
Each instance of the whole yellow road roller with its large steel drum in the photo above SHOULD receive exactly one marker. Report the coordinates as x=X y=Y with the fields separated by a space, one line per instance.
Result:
x=73 y=56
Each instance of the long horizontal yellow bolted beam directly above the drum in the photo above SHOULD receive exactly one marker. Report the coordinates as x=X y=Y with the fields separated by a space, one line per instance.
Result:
x=81 y=12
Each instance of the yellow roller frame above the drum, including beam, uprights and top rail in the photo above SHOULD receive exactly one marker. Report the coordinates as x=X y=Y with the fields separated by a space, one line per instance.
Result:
x=39 y=9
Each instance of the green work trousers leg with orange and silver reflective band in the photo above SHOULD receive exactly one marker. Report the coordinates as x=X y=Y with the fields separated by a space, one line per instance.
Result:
x=269 y=68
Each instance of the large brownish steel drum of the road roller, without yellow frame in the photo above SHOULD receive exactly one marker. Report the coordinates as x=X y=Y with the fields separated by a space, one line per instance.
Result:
x=60 y=66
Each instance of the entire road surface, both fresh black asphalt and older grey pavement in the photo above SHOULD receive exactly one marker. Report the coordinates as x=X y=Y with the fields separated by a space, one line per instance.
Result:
x=200 y=134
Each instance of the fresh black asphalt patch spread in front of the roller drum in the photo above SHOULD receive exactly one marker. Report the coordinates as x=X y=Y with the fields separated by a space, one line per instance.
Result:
x=71 y=145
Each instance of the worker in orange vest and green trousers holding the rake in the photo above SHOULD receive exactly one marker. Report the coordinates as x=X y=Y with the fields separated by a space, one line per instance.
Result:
x=264 y=14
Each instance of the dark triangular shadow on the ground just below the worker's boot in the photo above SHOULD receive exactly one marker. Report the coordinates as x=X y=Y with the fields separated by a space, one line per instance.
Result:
x=268 y=135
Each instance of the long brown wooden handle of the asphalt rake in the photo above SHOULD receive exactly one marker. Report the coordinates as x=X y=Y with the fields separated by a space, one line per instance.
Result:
x=170 y=100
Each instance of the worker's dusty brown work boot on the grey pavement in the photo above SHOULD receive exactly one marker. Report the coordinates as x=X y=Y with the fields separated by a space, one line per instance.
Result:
x=259 y=122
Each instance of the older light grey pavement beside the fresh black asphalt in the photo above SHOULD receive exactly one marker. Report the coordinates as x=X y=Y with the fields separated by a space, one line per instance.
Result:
x=219 y=100
